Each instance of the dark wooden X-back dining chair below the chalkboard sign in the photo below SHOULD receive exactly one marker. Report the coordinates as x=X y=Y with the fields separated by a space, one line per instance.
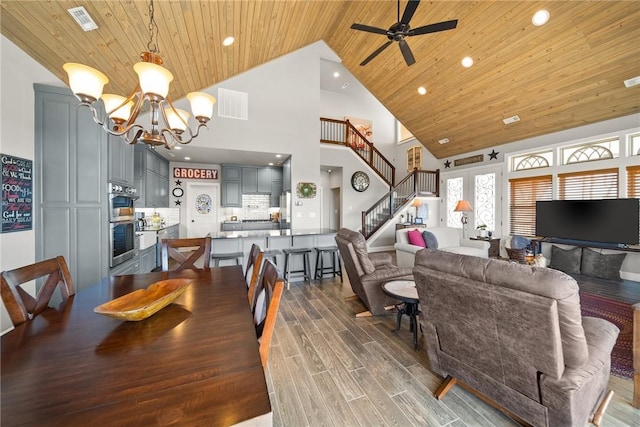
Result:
x=20 y=305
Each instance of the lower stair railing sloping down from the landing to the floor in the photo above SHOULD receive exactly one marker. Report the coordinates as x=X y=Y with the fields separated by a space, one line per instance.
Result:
x=416 y=183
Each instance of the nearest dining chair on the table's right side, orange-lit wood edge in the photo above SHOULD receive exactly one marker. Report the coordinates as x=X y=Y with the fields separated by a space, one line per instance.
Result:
x=265 y=309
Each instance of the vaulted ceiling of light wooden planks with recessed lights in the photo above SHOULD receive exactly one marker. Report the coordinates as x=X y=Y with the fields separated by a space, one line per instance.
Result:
x=567 y=73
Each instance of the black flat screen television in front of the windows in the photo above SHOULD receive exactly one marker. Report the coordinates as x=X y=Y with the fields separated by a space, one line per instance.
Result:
x=612 y=221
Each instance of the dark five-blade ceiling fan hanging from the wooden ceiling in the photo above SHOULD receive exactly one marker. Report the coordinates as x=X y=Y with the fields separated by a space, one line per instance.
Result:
x=401 y=29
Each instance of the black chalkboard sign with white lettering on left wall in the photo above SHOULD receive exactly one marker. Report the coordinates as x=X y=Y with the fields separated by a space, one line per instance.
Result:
x=17 y=193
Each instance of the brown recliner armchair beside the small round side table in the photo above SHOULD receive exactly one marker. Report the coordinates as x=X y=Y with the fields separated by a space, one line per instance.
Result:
x=368 y=272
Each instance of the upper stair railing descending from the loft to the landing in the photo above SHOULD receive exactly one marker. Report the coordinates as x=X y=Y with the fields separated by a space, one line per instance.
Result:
x=342 y=132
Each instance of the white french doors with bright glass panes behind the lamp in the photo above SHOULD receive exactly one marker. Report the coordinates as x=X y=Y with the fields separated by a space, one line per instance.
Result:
x=482 y=189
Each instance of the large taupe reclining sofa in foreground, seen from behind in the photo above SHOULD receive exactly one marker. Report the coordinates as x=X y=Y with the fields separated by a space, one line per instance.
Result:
x=514 y=333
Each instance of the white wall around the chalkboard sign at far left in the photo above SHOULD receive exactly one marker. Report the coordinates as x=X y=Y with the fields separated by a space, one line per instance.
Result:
x=18 y=72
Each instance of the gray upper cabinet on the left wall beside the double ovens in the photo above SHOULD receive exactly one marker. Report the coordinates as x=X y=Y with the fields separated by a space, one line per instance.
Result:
x=151 y=176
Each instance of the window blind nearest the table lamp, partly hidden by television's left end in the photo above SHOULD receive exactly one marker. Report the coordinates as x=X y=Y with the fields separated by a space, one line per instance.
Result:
x=524 y=192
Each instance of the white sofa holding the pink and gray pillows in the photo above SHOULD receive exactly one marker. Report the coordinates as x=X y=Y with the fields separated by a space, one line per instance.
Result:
x=449 y=240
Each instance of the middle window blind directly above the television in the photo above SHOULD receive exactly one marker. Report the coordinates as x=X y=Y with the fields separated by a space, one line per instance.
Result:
x=594 y=184
